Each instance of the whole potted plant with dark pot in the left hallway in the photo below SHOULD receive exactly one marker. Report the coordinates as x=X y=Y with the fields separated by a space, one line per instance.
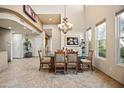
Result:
x=27 y=48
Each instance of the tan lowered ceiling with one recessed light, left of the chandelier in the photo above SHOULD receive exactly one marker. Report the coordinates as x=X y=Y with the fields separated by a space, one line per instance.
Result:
x=50 y=18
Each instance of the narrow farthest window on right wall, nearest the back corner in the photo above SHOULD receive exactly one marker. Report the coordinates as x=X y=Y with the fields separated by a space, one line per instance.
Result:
x=88 y=40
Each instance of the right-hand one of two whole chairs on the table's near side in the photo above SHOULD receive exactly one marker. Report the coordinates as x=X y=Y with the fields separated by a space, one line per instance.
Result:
x=72 y=60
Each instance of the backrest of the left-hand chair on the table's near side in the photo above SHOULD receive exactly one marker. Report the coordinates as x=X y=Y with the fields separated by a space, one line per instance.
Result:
x=59 y=56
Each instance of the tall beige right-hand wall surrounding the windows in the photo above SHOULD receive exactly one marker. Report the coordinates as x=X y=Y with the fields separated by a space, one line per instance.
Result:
x=93 y=15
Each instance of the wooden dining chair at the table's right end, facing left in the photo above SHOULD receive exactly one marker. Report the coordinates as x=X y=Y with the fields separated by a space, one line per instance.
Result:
x=88 y=61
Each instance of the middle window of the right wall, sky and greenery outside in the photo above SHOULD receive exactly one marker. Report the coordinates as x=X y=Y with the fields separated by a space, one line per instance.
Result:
x=101 y=40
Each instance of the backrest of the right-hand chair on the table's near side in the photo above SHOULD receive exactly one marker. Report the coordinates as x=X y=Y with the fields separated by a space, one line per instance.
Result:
x=72 y=56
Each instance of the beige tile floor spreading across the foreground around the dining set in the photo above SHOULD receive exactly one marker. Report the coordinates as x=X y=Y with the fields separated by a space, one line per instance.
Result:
x=23 y=73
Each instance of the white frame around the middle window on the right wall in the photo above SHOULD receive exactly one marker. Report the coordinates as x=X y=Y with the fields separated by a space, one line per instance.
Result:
x=96 y=40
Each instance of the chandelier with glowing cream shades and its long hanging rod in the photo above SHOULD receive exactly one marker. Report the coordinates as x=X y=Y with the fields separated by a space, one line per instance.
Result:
x=65 y=26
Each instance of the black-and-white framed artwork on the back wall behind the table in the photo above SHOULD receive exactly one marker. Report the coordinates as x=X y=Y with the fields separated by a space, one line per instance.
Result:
x=72 y=40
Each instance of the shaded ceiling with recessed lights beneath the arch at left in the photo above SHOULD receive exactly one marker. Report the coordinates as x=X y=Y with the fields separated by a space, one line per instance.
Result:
x=15 y=27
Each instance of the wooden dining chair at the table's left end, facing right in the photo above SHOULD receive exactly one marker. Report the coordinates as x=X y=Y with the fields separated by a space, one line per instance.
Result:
x=43 y=60
